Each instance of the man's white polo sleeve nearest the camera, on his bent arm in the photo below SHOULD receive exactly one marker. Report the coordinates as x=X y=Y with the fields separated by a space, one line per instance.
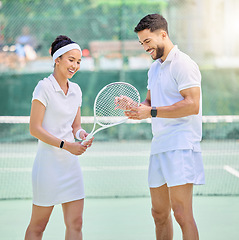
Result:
x=186 y=73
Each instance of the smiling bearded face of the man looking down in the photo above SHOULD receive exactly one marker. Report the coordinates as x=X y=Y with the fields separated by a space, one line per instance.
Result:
x=153 y=42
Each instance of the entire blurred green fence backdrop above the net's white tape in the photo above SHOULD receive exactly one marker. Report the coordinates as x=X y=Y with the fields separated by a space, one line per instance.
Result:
x=104 y=29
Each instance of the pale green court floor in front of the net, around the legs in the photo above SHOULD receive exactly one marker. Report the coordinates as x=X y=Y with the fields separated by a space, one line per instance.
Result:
x=124 y=219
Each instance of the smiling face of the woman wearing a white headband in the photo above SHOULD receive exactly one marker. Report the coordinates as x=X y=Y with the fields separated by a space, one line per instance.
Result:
x=69 y=63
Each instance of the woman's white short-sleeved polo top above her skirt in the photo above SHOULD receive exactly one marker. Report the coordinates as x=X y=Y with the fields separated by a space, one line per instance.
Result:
x=61 y=109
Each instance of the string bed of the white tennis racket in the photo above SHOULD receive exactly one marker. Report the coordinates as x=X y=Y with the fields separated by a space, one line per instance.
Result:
x=105 y=107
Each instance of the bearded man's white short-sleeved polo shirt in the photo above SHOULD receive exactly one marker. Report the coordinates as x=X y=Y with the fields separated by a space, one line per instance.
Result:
x=165 y=81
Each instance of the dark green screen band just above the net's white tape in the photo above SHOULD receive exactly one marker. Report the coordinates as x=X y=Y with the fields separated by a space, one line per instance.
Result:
x=219 y=89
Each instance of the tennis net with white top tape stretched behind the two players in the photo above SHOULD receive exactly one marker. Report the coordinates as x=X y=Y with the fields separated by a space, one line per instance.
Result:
x=116 y=164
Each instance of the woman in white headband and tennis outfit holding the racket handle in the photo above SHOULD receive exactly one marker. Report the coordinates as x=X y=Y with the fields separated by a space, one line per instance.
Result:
x=56 y=120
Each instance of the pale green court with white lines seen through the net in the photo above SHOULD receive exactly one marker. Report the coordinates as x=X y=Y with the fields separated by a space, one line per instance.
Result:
x=119 y=169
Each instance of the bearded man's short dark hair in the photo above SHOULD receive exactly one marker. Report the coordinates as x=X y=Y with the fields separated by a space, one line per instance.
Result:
x=152 y=22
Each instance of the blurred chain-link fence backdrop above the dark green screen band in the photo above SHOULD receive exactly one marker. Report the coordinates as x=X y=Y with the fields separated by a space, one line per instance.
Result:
x=104 y=29
